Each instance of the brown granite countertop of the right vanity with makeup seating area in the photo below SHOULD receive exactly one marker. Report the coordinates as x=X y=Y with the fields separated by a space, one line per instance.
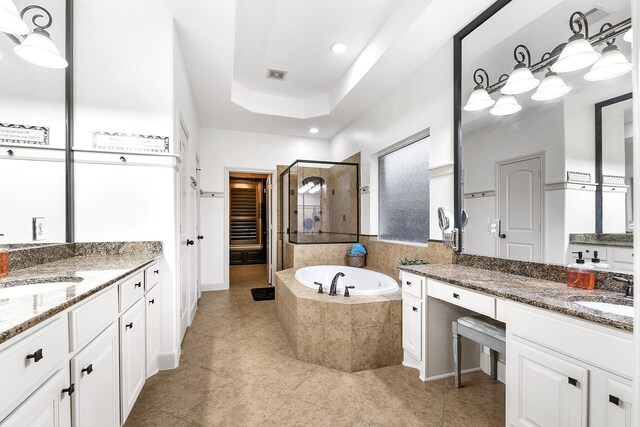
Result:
x=545 y=294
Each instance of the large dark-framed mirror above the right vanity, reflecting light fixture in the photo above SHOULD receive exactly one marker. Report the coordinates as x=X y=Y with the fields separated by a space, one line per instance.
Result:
x=545 y=129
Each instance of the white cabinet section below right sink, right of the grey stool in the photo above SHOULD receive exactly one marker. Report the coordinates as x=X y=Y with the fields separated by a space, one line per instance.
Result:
x=563 y=371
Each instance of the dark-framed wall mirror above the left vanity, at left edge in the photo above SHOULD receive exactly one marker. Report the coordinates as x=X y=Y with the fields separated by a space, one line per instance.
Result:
x=34 y=121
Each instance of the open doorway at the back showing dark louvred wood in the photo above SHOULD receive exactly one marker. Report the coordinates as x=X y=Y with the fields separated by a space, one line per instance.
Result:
x=248 y=218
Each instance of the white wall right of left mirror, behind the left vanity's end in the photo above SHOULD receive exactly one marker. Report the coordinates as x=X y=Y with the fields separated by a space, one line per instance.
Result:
x=131 y=78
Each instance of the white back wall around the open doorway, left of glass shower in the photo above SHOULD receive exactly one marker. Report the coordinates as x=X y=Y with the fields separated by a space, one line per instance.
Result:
x=240 y=151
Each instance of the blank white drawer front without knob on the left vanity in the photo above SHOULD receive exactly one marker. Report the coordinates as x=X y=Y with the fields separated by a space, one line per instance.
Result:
x=92 y=317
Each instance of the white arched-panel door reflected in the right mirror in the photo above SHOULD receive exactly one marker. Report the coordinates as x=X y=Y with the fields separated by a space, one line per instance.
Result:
x=520 y=210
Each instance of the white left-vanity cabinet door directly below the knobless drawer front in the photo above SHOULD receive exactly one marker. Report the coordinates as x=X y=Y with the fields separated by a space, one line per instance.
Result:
x=94 y=371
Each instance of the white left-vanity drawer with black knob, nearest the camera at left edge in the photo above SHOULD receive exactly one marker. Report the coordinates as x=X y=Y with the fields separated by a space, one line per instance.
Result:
x=27 y=364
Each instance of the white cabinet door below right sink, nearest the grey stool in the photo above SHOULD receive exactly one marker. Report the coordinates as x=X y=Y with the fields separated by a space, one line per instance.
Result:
x=544 y=390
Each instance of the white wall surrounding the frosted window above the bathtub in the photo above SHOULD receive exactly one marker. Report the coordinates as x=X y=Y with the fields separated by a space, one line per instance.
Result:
x=424 y=99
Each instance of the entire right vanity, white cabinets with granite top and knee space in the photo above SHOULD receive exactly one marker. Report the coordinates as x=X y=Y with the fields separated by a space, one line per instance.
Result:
x=565 y=364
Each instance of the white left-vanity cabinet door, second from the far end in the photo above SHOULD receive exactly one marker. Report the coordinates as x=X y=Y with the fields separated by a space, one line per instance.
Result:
x=133 y=358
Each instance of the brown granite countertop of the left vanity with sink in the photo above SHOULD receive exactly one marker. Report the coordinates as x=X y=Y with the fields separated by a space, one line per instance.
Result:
x=77 y=278
